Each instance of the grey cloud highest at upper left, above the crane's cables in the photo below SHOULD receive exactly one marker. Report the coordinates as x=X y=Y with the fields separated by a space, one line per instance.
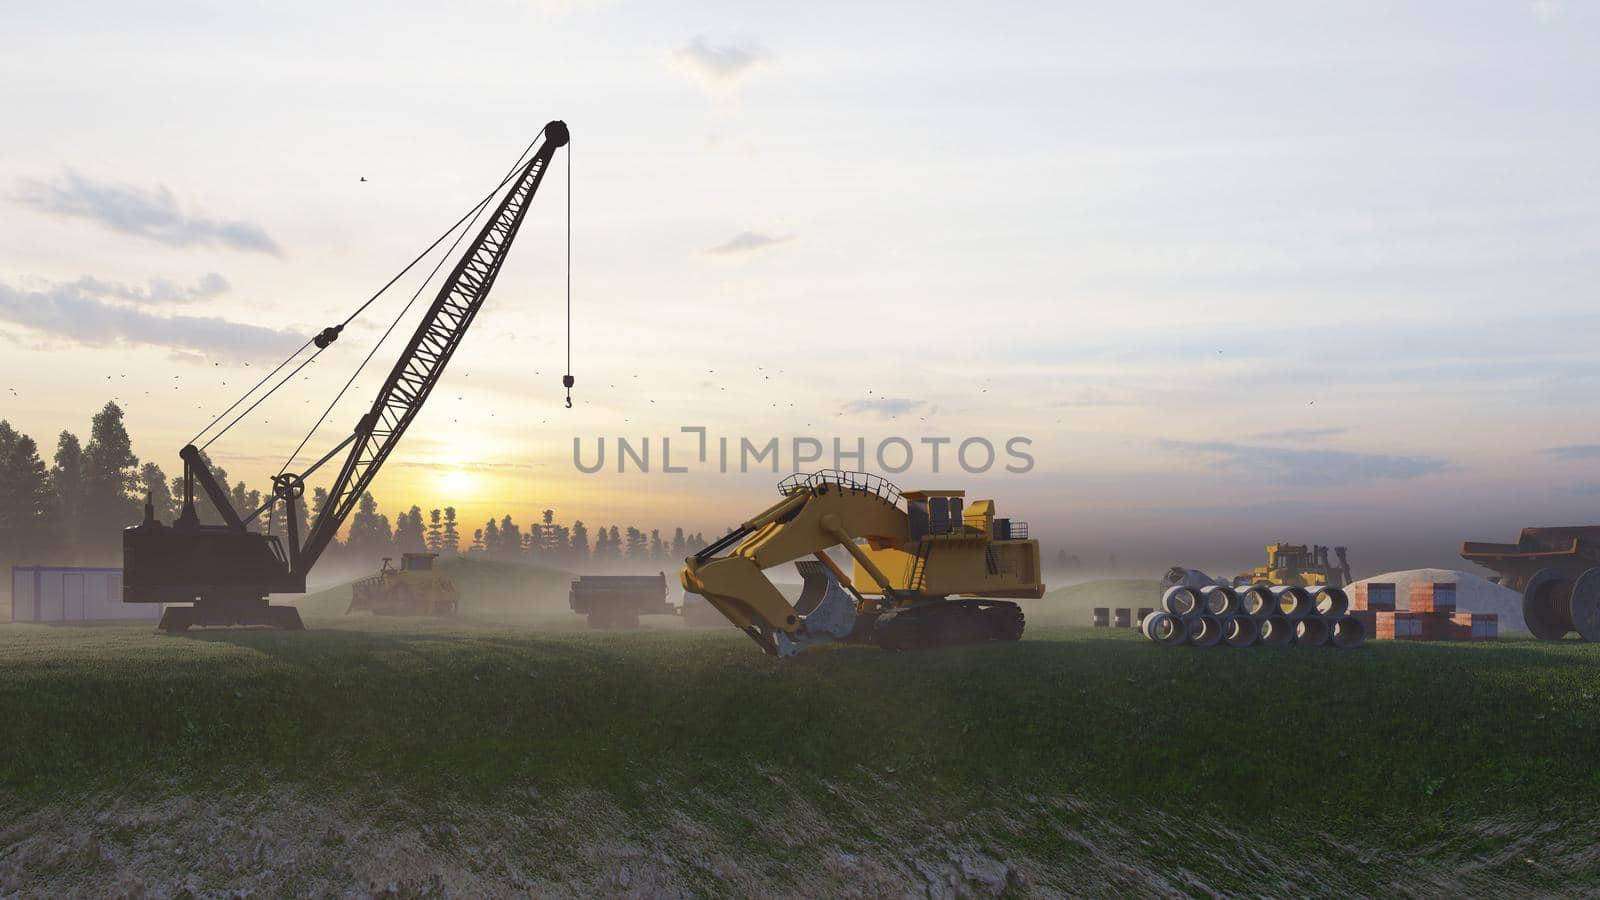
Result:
x=153 y=215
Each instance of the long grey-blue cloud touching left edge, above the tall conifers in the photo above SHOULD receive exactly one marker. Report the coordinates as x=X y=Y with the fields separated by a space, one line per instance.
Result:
x=76 y=315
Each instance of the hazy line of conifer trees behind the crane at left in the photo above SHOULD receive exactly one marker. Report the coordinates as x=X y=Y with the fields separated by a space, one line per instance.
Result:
x=73 y=513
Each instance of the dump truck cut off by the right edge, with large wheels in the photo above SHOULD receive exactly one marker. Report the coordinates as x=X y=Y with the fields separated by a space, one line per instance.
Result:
x=1558 y=569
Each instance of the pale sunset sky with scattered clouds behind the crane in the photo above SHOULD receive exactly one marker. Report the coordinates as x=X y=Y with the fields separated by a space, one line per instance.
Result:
x=1236 y=273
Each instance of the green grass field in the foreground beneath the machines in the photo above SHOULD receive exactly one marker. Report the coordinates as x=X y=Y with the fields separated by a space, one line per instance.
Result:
x=1079 y=760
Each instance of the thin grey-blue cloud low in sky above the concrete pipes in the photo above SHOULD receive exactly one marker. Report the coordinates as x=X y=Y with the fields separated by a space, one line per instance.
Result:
x=1310 y=468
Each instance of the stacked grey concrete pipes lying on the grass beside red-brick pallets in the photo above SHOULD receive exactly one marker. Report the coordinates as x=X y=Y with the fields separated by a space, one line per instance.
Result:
x=1254 y=616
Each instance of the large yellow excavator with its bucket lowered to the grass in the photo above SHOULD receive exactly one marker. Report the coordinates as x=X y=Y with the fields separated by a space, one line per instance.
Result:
x=929 y=569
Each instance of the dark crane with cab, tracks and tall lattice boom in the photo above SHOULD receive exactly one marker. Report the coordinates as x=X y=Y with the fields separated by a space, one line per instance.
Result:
x=228 y=571
